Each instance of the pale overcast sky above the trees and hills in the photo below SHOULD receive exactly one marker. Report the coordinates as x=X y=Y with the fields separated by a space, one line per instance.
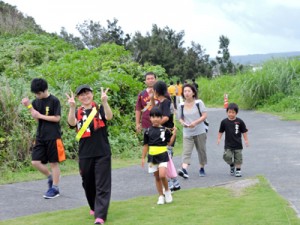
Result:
x=252 y=26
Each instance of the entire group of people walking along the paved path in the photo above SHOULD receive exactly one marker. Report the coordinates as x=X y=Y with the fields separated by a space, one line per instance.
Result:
x=157 y=110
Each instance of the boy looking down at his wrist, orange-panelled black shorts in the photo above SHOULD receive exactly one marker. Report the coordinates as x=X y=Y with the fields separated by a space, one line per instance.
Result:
x=48 y=147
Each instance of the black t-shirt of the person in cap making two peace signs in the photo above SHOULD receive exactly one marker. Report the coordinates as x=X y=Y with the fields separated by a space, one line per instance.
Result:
x=97 y=144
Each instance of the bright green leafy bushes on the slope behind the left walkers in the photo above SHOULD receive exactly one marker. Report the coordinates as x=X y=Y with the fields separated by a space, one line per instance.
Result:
x=107 y=66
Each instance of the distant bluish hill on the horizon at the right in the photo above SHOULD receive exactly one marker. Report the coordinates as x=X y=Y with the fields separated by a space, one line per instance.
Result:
x=260 y=58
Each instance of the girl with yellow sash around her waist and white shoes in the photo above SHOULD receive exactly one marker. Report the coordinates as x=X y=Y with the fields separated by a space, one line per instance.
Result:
x=156 y=140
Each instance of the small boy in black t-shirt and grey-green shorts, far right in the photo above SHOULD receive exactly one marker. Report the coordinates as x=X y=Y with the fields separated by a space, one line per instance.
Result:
x=233 y=127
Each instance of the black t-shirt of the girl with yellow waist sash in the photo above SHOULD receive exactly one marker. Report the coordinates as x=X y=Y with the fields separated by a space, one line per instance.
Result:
x=157 y=136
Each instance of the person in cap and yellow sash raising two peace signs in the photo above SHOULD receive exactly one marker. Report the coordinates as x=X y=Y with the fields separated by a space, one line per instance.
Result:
x=90 y=121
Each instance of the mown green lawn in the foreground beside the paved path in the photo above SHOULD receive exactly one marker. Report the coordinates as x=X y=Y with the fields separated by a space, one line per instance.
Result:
x=257 y=205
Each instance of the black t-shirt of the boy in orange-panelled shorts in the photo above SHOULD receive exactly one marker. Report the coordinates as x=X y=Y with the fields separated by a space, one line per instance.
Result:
x=49 y=106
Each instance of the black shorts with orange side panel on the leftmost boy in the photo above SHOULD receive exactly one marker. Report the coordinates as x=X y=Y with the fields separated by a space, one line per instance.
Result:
x=48 y=151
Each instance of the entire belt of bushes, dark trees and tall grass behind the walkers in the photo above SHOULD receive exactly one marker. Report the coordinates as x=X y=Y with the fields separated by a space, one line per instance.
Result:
x=28 y=52
